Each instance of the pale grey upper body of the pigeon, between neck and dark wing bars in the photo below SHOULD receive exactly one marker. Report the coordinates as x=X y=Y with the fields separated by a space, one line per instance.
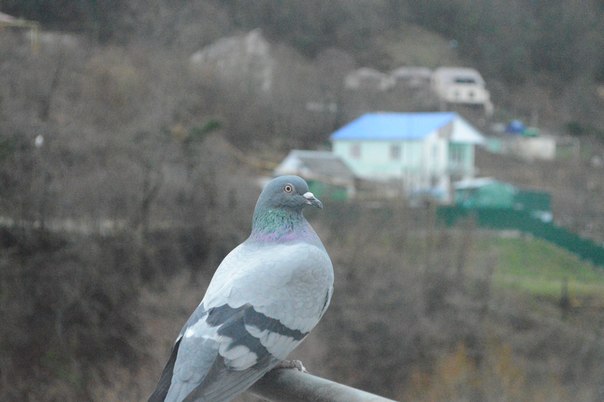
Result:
x=291 y=283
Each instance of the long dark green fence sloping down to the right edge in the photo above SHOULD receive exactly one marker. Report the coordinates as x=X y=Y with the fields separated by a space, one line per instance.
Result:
x=509 y=219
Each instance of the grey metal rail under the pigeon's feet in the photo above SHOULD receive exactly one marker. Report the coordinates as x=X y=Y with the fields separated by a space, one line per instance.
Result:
x=292 y=385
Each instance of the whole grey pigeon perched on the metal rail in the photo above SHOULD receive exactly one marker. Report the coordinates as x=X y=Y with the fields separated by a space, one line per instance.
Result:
x=264 y=298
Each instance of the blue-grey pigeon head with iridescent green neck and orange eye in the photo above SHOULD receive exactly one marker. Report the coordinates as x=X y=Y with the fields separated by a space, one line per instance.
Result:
x=278 y=213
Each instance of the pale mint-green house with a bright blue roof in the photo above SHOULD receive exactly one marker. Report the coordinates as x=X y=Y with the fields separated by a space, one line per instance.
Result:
x=423 y=152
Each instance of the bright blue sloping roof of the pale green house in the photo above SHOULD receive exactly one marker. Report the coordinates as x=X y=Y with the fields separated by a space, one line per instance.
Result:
x=393 y=126
